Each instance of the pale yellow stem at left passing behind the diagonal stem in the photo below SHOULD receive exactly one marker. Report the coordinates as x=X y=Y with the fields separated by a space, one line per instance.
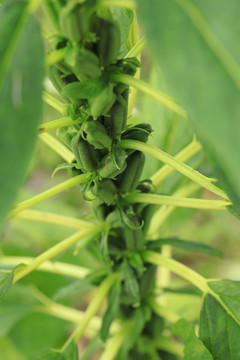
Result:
x=55 y=267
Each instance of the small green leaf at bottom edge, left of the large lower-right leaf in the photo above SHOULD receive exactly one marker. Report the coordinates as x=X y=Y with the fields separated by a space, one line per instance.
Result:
x=193 y=347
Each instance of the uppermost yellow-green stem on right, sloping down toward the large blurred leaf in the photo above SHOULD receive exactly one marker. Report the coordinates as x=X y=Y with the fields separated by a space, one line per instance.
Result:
x=151 y=91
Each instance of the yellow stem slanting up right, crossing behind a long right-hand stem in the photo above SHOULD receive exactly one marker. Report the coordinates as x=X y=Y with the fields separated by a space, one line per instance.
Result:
x=183 y=156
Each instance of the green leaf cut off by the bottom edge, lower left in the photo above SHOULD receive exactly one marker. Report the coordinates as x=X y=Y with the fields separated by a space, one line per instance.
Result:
x=71 y=353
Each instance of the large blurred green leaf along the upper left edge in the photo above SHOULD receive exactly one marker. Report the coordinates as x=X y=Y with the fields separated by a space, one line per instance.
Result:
x=21 y=100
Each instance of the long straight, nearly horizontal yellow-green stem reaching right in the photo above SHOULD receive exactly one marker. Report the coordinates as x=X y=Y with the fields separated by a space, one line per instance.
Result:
x=176 y=201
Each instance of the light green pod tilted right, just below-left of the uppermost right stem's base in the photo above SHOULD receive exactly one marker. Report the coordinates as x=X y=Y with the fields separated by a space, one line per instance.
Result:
x=101 y=104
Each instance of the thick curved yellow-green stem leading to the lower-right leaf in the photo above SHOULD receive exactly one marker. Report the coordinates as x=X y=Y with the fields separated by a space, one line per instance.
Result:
x=177 y=268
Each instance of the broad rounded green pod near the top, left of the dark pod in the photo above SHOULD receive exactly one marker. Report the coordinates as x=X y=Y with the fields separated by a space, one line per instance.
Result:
x=87 y=65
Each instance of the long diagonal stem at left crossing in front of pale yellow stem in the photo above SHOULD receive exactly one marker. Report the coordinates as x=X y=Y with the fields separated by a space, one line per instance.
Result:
x=58 y=248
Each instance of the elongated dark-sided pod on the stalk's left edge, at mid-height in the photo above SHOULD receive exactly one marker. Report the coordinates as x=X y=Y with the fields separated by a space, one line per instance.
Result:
x=87 y=157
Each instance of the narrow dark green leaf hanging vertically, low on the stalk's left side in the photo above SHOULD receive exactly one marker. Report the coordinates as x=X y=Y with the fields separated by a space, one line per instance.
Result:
x=112 y=310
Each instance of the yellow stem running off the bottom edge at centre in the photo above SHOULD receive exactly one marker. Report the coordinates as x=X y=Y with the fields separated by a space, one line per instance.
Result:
x=113 y=344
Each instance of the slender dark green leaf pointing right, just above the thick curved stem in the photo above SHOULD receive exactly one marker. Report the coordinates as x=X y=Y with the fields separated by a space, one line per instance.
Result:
x=187 y=245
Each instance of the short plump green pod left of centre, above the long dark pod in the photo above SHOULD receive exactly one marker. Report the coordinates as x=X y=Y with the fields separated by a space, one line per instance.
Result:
x=97 y=135
